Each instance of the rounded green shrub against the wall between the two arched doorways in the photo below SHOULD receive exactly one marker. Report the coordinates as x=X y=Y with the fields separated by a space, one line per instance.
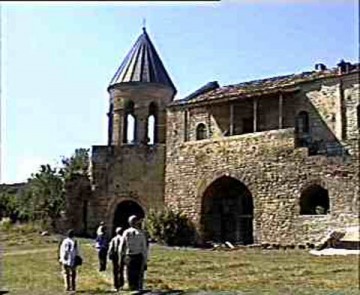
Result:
x=170 y=228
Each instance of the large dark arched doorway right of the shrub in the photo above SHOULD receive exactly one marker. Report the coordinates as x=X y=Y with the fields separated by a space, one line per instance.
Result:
x=227 y=212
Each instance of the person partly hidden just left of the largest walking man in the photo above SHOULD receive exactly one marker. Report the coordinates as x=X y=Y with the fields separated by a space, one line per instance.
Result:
x=117 y=259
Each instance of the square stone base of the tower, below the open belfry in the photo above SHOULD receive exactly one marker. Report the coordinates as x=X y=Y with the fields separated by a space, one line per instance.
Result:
x=126 y=173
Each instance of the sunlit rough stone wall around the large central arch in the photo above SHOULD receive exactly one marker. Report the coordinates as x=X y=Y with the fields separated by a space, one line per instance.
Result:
x=272 y=168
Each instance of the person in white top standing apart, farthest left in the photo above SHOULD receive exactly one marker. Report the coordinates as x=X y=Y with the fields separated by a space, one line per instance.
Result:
x=69 y=249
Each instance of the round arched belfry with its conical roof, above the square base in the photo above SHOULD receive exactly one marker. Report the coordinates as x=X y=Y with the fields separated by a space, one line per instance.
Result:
x=139 y=92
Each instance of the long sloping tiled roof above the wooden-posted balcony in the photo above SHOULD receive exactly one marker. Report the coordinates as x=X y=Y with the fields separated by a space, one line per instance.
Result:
x=258 y=87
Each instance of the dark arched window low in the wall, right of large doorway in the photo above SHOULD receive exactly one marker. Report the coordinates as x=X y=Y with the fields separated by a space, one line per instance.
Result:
x=314 y=200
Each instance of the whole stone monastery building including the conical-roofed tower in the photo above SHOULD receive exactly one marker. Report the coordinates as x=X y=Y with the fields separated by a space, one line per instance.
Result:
x=268 y=161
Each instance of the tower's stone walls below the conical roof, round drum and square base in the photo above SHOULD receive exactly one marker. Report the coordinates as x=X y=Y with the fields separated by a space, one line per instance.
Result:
x=124 y=171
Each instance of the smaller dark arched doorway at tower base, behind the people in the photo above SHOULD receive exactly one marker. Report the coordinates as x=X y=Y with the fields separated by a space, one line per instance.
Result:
x=123 y=211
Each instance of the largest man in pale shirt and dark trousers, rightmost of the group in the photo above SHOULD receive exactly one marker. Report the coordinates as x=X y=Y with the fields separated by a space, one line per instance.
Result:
x=134 y=247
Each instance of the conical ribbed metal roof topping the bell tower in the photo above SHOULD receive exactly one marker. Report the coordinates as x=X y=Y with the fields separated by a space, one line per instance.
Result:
x=142 y=64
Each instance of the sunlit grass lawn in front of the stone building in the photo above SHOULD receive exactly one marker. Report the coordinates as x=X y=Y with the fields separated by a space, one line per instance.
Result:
x=29 y=266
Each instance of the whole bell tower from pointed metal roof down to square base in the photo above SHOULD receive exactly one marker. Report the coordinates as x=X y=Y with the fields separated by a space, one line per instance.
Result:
x=129 y=173
